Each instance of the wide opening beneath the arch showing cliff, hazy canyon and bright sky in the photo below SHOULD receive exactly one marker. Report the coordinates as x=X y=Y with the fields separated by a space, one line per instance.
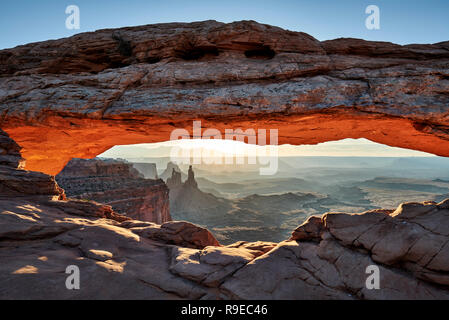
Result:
x=235 y=201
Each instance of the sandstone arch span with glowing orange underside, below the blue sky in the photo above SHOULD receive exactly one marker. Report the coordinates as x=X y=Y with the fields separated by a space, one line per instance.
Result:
x=79 y=96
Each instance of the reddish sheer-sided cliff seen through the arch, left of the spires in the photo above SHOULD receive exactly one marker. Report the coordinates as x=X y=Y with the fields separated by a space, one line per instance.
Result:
x=118 y=184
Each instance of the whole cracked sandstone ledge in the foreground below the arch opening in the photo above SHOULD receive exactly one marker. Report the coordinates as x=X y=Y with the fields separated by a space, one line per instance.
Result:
x=42 y=232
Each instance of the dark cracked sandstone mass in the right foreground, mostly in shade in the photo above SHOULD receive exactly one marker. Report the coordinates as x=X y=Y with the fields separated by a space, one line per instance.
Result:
x=409 y=250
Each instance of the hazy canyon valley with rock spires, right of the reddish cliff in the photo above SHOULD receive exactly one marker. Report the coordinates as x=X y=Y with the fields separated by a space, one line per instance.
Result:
x=249 y=207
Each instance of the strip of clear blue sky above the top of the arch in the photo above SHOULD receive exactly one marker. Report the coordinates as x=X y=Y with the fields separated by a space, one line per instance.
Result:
x=412 y=21
